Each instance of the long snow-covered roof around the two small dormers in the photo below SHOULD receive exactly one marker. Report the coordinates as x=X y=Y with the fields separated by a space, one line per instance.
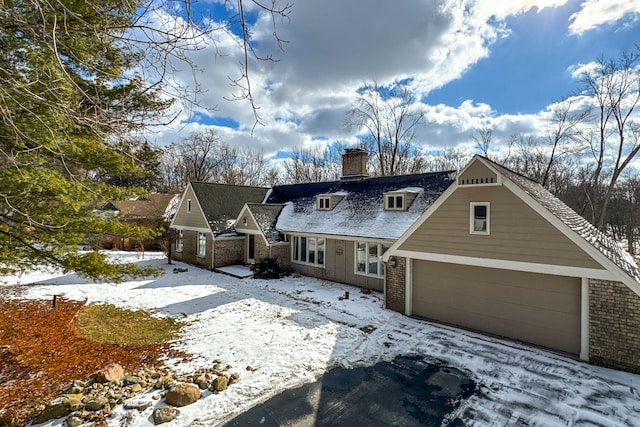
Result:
x=360 y=212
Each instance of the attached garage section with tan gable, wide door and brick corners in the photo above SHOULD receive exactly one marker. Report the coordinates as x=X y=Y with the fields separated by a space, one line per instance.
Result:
x=498 y=253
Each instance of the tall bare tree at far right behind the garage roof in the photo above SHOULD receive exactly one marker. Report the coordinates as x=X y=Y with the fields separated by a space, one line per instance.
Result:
x=614 y=137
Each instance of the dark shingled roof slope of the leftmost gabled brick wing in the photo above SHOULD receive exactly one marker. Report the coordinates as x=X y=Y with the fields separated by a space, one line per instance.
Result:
x=221 y=203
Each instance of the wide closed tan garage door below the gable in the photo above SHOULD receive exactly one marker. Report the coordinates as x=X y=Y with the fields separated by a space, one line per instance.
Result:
x=536 y=308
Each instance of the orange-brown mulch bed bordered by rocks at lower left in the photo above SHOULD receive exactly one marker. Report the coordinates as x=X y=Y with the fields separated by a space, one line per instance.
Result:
x=41 y=353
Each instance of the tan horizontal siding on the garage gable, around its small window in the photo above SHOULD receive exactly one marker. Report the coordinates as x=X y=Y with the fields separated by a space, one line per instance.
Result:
x=518 y=233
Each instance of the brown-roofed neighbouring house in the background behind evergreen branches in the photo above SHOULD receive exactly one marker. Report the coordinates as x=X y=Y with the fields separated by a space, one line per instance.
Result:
x=154 y=211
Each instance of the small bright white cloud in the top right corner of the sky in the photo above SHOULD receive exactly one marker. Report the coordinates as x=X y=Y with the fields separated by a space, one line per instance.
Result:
x=594 y=13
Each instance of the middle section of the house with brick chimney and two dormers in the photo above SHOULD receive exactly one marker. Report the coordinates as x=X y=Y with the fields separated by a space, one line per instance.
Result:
x=338 y=230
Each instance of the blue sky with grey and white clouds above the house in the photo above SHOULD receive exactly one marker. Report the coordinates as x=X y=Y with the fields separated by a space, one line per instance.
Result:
x=472 y=64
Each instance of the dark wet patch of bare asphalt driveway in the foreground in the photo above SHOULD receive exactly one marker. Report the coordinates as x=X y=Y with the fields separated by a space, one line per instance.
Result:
x=406 y=392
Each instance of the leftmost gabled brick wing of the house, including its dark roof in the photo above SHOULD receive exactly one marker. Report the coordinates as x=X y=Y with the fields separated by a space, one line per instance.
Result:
x=203 y=226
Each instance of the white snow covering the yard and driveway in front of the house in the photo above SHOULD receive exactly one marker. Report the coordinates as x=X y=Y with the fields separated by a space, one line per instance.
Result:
x=293 y=330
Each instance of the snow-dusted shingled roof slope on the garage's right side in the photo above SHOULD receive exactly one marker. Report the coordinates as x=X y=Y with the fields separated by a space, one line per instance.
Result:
x=573 y=220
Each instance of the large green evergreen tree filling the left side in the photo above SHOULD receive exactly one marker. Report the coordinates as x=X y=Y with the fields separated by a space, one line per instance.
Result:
x=69 y=100
